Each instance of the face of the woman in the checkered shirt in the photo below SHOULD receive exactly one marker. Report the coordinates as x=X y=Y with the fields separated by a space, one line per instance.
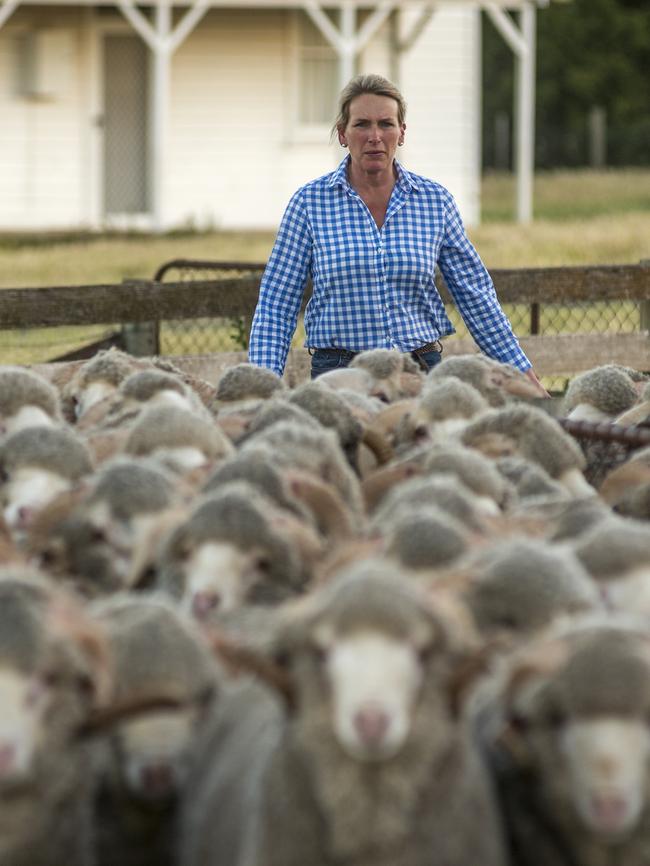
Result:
x=373 y=132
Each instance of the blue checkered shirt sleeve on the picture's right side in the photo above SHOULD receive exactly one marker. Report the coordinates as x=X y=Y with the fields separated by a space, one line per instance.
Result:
x=473 y=293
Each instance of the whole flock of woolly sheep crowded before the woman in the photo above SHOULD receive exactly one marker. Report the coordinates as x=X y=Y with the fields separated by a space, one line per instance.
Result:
x=378 y=619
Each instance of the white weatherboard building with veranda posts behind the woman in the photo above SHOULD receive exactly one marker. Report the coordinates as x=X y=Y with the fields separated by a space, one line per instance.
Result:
x=211 y=113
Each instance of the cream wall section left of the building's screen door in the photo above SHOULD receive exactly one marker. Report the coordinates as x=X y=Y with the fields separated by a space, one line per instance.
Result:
x=42 y=135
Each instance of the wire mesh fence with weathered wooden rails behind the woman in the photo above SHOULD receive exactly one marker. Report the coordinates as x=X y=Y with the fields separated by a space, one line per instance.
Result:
x=569 y=319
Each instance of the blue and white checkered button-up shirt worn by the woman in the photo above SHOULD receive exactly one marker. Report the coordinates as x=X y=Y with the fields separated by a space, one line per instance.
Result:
x=374 y=288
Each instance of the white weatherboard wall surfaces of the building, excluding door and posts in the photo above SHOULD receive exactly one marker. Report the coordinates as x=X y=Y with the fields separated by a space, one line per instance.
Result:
x=235 y=151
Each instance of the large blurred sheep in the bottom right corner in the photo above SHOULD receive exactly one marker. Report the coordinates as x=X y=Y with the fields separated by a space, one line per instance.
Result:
x=566 y=730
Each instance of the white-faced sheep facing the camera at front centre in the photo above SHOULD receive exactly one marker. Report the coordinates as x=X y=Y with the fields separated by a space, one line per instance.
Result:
x=374 y=764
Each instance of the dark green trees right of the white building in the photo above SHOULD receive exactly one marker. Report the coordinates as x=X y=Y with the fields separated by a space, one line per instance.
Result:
x=589 y=53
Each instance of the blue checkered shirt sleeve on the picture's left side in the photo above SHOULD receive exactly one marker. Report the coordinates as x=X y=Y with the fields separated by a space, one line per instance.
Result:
x=281 y=289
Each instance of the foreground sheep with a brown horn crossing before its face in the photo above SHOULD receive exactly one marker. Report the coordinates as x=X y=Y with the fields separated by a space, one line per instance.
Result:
x=147 y=760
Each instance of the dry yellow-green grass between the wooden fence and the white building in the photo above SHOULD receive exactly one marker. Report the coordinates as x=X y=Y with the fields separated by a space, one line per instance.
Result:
x=581 y=217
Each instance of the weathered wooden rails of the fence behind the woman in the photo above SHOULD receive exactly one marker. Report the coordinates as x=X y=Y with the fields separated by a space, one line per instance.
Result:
x=136 y=301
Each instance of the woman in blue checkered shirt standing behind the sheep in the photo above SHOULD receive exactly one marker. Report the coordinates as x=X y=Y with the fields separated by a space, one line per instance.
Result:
x=370 y=235
